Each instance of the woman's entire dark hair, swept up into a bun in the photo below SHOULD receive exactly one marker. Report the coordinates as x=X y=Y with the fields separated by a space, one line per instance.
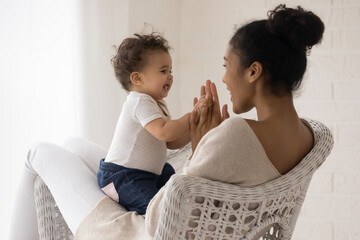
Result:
x=280 y=44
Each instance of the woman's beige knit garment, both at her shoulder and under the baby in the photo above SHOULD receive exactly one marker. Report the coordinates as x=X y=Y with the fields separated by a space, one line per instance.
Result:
x=229 y=153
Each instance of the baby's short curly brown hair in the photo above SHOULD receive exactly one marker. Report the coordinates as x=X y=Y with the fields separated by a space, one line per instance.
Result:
x=130 y=55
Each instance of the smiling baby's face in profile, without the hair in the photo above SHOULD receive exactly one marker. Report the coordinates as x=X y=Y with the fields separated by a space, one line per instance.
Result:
x=157 y=75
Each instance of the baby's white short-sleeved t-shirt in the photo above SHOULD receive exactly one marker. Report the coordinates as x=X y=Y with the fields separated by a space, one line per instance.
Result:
x=133 y=146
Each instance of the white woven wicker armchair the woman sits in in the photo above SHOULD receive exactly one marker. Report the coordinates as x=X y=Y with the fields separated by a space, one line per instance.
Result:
x=197 y=208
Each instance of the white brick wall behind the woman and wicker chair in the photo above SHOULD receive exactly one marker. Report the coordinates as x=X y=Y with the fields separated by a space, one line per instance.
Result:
x=330 y=92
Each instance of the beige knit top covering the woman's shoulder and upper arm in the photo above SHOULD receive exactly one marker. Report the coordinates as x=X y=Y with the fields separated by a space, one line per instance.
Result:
x=232 y=153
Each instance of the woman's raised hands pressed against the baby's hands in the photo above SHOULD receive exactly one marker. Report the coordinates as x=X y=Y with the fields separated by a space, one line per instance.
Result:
x=206 y=114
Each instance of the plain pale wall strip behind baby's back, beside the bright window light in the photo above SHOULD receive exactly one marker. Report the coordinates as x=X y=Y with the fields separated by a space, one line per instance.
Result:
x=98 y=26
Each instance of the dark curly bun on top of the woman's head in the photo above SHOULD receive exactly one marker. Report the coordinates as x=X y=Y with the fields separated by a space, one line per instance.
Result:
x=300 y=29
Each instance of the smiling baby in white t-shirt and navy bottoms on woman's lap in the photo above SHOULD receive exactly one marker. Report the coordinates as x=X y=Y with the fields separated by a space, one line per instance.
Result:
x=135 y=167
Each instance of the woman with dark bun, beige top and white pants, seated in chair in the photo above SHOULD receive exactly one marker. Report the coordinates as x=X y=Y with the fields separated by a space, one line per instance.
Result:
x=265 y=61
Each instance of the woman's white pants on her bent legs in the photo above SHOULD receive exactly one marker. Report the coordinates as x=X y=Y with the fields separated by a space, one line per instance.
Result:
x=70 y=174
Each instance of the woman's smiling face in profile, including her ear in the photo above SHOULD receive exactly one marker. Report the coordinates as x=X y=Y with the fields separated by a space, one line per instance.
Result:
x=237 y=82
